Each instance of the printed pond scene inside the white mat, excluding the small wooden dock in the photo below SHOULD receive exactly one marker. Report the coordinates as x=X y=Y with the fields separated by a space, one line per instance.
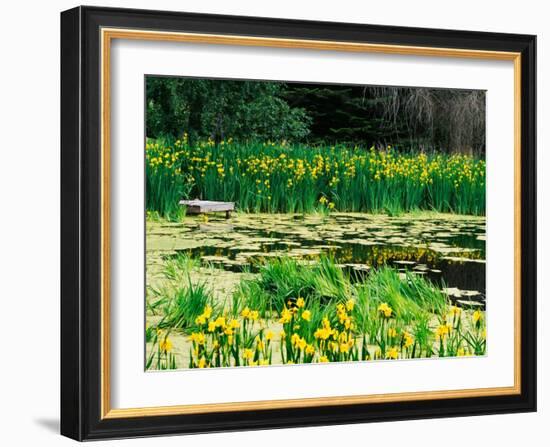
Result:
x=339 y=250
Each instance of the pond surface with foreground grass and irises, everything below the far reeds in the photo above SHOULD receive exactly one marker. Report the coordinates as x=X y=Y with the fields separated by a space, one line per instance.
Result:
x=222 y=290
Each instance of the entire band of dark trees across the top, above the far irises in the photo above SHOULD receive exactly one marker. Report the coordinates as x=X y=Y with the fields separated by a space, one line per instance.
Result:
x=419 y=118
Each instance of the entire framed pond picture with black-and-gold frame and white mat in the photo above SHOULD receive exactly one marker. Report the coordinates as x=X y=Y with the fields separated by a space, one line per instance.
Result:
x=276 y=223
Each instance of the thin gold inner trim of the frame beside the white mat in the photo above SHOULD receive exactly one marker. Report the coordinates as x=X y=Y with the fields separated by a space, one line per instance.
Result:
x=107 y=35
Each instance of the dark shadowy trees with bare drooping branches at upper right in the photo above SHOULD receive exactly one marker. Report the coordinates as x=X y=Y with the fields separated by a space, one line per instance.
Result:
x=450 y=120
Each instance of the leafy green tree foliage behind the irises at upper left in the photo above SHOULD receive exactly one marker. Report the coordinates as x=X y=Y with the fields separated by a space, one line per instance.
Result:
x=218 y=109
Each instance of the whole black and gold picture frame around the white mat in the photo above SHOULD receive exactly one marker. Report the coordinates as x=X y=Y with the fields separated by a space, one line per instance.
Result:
x=87 y=34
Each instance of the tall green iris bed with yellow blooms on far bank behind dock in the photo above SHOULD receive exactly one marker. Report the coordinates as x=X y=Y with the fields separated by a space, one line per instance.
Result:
x=269 y=177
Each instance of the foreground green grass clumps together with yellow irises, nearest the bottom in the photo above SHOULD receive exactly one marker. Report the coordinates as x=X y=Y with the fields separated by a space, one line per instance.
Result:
x=292 y=312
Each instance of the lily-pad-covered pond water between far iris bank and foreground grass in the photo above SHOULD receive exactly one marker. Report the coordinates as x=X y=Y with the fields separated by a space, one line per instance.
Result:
x=446 y=248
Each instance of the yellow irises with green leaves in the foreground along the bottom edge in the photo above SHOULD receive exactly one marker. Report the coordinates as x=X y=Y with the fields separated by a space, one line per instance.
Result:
x=315 y=336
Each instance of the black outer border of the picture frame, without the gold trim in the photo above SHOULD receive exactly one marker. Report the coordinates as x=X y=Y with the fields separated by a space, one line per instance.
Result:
x=81 y=222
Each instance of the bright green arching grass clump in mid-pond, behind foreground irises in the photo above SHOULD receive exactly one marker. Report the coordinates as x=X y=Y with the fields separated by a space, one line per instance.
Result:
x=281 y=282
